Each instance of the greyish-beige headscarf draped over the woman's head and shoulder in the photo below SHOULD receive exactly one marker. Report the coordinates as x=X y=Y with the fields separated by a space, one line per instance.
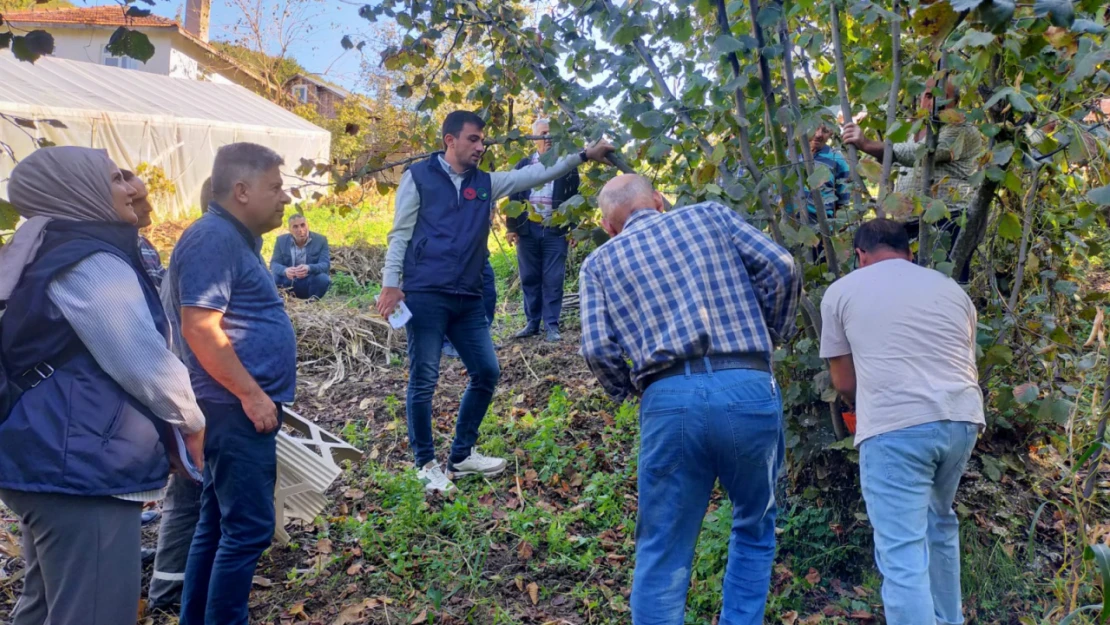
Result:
x=65 y=184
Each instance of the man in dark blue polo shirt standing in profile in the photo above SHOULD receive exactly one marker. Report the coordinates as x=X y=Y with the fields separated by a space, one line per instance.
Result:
x=241 y=352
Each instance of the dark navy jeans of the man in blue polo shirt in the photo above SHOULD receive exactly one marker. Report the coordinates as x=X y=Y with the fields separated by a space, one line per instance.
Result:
x=237 y=519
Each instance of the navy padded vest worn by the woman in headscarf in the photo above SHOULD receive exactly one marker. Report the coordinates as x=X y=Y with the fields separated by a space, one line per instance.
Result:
x=75 y=430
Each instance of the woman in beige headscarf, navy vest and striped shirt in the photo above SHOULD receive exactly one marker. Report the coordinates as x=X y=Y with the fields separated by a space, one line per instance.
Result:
x=93 y=389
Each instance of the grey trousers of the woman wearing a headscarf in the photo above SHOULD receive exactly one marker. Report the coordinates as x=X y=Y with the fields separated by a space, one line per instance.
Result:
x=83 y=560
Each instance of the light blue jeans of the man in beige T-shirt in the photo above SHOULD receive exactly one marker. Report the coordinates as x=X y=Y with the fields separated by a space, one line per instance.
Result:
x=910 y=479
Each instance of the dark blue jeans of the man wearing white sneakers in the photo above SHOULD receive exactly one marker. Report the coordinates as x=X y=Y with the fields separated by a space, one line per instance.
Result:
x=462 y=320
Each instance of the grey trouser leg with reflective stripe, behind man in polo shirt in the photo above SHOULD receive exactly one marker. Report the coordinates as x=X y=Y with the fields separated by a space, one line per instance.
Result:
x=180 y=512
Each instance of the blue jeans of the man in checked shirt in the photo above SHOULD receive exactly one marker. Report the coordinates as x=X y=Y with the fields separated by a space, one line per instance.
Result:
x=695 y=430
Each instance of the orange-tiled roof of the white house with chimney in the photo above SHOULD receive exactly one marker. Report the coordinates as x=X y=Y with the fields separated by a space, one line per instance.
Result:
x=116 y=16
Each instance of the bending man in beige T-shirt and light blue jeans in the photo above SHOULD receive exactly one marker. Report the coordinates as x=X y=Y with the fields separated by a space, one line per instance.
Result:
x=901 y=340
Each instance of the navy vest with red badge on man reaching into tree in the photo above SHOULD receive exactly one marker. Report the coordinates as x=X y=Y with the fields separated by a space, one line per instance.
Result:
x=449 y=249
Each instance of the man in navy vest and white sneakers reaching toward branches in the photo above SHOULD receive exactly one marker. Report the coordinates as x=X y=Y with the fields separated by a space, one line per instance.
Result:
x=445 y=207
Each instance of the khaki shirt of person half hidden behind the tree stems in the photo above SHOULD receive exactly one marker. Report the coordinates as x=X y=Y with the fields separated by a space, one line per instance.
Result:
x=960 y=148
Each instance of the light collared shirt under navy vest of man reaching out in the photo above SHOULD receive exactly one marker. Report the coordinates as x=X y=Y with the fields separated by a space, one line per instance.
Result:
x=407 y=206
